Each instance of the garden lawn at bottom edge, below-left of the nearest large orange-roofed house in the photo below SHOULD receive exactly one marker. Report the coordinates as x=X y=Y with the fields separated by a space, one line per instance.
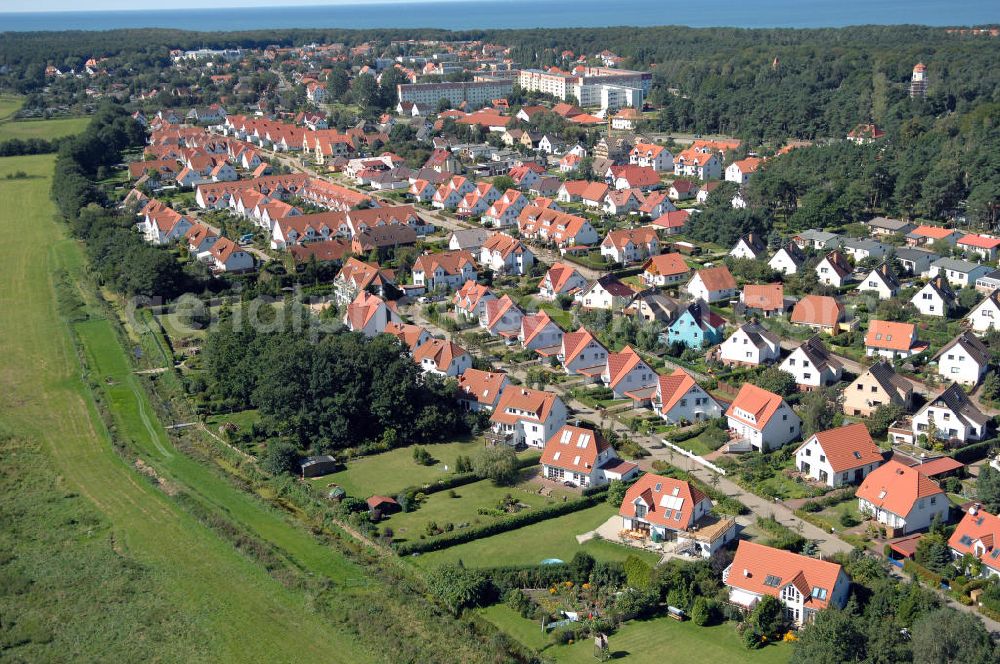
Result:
x=664 y=639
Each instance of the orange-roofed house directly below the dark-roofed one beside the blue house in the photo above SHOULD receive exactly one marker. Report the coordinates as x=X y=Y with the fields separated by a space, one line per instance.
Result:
x=762 y=420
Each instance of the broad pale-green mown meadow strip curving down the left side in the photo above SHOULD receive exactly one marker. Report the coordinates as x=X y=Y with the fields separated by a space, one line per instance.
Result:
x=225 y=595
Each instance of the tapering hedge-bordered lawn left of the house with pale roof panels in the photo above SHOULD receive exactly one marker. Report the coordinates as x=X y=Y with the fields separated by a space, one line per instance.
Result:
x=555 y=538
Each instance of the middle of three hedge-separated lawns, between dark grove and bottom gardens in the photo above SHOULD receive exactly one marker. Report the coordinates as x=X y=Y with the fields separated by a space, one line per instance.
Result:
x=441 y=508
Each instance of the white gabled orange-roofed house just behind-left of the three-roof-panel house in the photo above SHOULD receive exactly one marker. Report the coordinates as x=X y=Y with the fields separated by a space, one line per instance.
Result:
x=528 y=417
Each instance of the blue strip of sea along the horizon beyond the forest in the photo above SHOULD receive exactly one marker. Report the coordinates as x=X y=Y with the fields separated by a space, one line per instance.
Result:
x=521 y=14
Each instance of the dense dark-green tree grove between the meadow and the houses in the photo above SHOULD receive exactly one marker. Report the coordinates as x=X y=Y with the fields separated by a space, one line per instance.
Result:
x=329 y=392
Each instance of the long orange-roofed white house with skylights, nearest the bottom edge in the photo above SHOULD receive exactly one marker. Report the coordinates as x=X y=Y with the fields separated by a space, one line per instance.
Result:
x=804 y=585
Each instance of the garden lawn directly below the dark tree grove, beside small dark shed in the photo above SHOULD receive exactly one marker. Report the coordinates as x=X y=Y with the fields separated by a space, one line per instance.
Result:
x=390 y=472
